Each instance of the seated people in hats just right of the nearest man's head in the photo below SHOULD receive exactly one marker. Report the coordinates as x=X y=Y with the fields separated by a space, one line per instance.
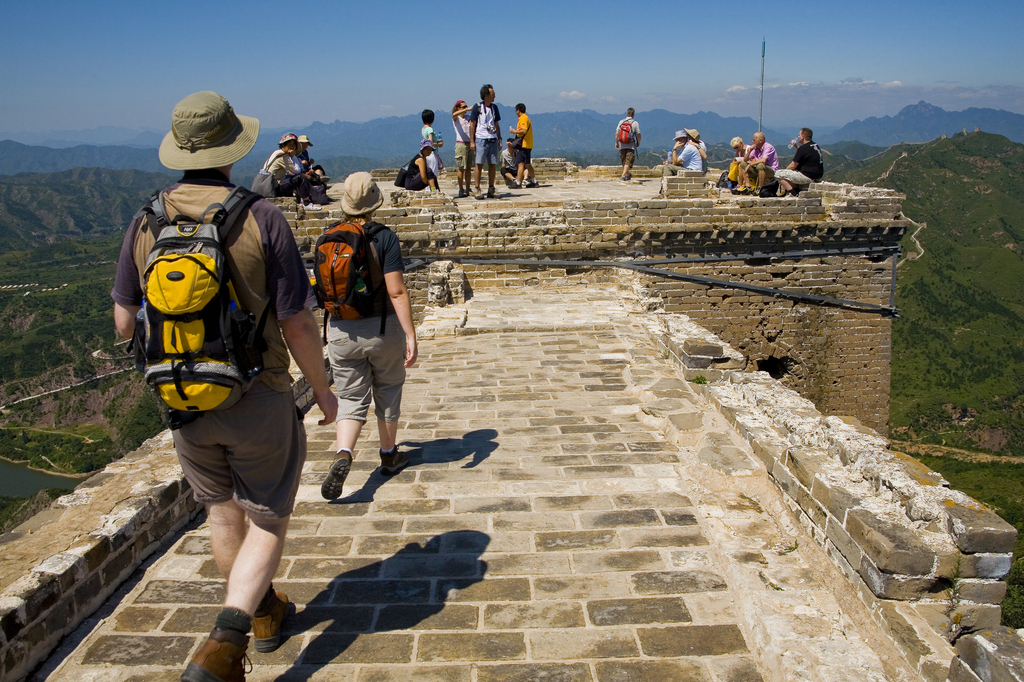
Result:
x=290 y=173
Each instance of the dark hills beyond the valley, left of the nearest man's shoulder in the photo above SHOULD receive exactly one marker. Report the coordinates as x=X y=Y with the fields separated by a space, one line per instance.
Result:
x=41 y=208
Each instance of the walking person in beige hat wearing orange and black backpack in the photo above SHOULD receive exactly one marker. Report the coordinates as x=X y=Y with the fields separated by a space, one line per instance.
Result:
x=369 y=327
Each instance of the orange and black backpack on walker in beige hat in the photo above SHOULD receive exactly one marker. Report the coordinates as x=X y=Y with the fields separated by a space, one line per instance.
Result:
x=345 y=282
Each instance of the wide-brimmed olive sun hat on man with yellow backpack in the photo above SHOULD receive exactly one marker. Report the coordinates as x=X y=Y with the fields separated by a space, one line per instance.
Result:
x=207 y=134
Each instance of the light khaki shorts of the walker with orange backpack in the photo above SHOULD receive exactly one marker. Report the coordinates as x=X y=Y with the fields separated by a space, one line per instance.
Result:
x=366 y=365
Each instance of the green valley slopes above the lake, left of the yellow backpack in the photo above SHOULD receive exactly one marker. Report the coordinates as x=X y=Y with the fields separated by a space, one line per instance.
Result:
x=57 y=330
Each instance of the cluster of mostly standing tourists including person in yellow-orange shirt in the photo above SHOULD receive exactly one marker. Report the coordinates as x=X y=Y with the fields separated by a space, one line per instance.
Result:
x=479 y=138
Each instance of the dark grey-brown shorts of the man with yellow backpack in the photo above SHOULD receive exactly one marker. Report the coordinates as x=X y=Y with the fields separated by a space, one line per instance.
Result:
x=252 y=452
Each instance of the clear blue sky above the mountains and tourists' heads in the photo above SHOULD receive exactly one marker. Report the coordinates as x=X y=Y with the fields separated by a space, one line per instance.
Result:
x=82 y=65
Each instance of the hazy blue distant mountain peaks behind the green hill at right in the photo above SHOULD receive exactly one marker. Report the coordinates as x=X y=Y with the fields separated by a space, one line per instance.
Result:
x=922 y=122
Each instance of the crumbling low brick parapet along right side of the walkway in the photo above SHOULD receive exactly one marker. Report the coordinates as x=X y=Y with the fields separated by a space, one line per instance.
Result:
x=903 y=538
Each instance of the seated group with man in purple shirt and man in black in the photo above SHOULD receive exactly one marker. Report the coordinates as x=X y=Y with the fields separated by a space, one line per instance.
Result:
x=757 y=165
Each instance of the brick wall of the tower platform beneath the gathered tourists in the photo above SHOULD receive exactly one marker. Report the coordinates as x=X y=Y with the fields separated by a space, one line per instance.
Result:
x=838 y=359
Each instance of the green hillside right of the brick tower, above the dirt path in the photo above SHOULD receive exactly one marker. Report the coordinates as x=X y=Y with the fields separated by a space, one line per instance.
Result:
x=959 y=346
